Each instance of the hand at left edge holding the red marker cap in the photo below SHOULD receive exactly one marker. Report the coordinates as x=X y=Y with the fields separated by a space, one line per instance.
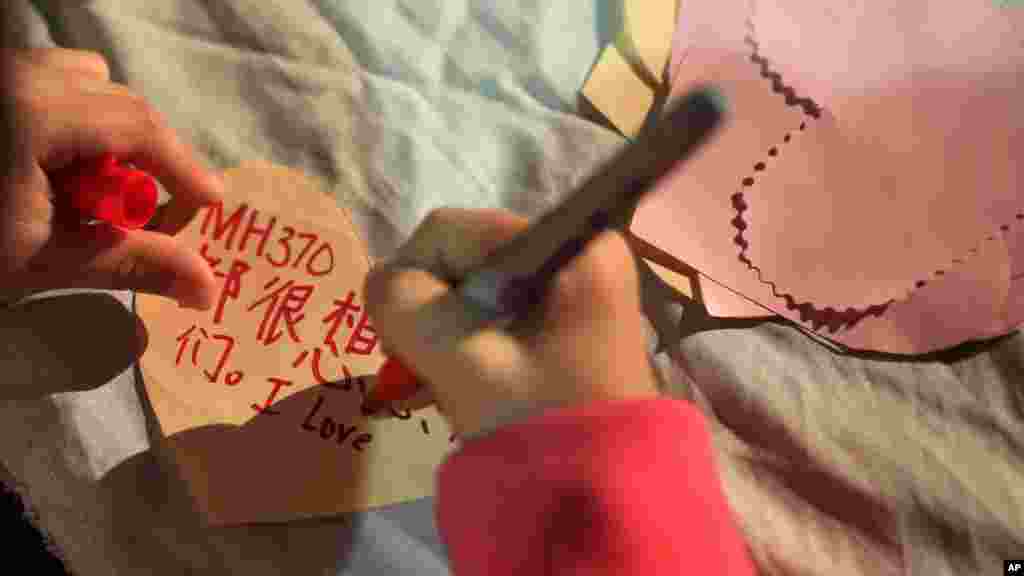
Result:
x=66 y=109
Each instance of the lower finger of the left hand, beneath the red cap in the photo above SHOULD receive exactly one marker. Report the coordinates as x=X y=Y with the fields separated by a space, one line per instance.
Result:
x=107 y=258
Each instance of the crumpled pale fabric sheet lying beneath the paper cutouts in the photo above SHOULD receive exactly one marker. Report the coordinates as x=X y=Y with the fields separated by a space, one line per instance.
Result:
x=833 y=465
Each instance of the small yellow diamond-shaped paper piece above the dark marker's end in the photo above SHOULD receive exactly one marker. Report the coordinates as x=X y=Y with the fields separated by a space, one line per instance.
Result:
x=618 y=94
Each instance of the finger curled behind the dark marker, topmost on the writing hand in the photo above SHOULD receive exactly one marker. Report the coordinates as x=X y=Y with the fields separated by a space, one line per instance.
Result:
x=451 y=241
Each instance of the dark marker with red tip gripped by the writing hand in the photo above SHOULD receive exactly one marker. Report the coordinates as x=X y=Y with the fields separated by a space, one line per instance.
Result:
x=514 y=278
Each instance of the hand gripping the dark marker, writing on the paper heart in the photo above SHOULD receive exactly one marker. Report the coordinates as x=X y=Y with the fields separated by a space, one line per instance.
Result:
x=586 y=344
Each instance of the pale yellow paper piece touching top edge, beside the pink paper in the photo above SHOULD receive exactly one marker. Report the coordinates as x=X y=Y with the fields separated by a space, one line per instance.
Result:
x=647 y=37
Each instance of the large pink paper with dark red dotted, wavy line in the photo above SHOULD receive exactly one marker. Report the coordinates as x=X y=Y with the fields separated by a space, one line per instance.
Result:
x=889 y=222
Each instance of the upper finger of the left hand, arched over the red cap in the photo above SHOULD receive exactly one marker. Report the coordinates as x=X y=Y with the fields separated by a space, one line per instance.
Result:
x=131 y=129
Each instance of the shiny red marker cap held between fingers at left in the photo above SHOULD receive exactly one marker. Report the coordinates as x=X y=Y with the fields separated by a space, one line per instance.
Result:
x=106 y=190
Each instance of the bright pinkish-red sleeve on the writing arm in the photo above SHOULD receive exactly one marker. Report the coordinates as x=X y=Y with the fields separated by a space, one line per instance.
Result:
x=623 y=487
